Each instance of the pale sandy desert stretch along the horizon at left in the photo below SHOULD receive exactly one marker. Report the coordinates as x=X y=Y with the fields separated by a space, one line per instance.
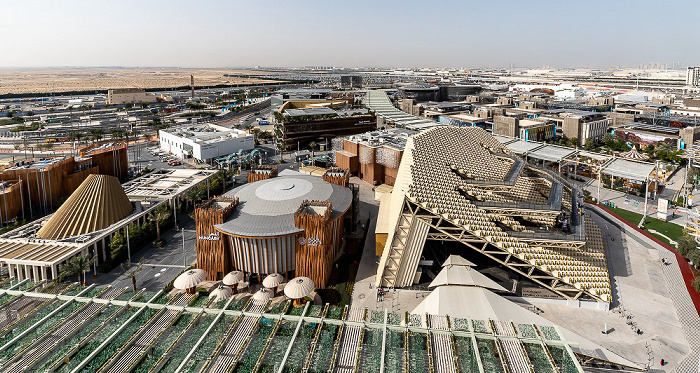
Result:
x=44 y=81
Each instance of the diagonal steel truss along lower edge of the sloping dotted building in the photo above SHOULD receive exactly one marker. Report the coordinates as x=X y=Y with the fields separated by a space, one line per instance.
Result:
x=444 y=230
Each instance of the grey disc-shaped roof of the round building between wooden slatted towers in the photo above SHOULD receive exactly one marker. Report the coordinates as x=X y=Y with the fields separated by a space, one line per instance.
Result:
x=266 y=207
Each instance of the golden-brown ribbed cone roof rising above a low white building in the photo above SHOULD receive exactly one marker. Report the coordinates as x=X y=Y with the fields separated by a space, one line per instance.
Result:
x=98 y=202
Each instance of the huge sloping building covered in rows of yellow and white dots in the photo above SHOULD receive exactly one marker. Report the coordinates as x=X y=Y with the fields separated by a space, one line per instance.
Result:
x=463 y=185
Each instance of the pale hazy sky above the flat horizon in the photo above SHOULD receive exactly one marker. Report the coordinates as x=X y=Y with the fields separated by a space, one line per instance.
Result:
x=200 y=33
